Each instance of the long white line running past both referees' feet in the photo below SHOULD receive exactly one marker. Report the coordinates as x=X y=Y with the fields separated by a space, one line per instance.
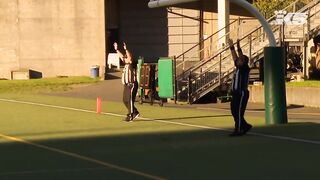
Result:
x=169 y=122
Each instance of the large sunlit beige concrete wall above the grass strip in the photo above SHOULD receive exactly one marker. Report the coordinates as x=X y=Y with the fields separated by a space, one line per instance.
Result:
x=52 y=37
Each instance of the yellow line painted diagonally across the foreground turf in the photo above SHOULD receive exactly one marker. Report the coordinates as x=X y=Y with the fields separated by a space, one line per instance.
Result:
x=78 y=156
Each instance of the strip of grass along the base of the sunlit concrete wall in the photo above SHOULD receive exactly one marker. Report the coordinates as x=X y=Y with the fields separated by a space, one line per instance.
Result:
x=43 y=85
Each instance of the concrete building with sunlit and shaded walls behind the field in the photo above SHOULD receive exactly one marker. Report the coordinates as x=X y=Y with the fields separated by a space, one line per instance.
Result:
x=66 y=37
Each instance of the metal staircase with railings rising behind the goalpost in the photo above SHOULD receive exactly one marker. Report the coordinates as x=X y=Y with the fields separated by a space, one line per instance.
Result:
x=215 y=68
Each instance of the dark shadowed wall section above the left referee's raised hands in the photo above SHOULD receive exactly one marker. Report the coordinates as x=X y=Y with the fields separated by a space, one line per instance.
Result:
x=144 y=29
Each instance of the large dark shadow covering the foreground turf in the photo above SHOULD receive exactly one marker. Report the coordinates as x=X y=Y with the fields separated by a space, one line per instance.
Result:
x=180 y=154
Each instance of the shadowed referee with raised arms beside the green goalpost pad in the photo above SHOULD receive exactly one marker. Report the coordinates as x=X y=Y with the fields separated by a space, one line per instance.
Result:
x=239 y=90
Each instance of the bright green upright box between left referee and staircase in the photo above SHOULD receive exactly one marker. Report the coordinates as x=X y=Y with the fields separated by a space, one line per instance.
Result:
x=165 y=78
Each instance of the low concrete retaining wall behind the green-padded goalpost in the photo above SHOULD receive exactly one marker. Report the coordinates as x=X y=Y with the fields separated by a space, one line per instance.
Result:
x=306 y=96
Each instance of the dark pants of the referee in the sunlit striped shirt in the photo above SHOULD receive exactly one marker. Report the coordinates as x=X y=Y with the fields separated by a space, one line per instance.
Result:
x=129 y=96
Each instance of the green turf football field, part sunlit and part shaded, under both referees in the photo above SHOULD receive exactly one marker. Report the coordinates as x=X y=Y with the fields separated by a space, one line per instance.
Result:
x=48 y=137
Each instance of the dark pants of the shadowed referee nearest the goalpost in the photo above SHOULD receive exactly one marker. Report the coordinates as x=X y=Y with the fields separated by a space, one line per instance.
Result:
x=238 y=107
